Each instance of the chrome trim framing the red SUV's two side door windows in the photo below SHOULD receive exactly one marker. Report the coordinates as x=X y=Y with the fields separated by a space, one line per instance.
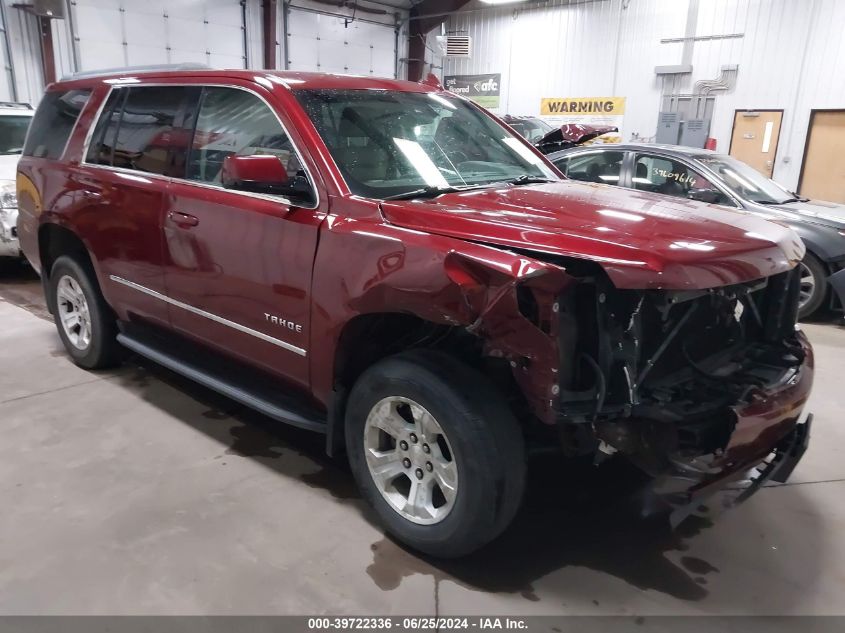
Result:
x=190 y=126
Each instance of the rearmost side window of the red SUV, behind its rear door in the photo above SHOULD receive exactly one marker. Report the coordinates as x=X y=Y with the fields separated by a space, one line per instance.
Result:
x=53 y=122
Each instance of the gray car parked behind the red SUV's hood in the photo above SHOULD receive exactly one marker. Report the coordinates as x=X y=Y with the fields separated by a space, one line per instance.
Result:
x=707 y=176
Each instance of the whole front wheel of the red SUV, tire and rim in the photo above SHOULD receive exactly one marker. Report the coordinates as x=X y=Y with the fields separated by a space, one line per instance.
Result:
x=435 y=452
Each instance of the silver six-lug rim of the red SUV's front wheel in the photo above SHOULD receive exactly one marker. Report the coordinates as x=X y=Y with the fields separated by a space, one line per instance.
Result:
x=410 y=460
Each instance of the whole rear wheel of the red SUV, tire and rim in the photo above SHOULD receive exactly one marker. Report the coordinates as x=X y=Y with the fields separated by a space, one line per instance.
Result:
x=85 y=323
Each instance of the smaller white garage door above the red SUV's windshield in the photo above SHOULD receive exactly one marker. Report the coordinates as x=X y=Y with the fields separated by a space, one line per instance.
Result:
x=318 y=42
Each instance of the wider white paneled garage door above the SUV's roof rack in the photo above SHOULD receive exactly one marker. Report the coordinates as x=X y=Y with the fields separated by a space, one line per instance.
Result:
x=133 y=33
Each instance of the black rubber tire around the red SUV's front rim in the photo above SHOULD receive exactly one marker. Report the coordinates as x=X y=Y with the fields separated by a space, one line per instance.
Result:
x=484 y=437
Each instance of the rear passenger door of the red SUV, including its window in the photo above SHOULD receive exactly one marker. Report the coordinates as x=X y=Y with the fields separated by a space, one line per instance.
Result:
x=124 y=178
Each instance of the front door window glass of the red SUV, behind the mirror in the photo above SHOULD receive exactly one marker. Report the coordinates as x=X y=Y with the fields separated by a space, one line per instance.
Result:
x=235 y=122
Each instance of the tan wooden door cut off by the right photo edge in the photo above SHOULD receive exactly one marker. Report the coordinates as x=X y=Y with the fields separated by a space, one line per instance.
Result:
x=823 y=171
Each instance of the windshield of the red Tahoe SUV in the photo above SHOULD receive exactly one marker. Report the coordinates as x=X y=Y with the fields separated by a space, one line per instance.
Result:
x=390 y=143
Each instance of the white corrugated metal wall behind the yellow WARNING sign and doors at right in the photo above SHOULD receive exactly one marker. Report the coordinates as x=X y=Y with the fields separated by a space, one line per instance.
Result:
x=791 y=57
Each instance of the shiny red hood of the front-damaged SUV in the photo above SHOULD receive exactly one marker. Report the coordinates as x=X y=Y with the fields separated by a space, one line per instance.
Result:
x=642 y=240
